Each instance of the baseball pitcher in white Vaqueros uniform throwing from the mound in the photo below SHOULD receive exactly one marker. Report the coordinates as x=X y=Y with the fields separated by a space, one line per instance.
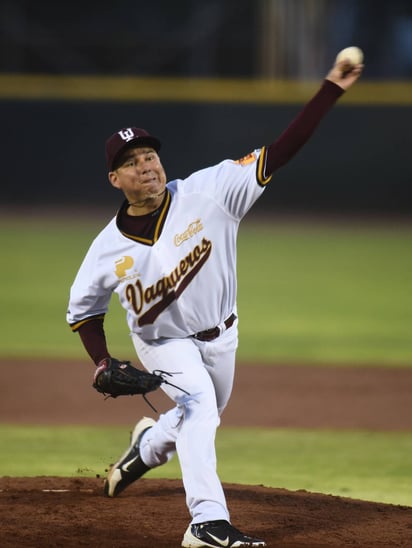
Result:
x=170 y=256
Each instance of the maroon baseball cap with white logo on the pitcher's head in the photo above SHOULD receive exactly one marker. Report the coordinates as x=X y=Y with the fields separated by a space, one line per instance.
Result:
x=125 y=138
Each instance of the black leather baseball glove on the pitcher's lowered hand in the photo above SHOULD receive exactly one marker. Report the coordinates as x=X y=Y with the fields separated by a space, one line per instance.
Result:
x=120 y=378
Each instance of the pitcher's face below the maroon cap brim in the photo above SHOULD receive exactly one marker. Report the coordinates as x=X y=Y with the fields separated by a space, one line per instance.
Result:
x=141 y=177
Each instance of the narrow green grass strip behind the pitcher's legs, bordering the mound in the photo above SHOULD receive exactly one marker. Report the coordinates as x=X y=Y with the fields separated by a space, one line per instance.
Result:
x=361 y=465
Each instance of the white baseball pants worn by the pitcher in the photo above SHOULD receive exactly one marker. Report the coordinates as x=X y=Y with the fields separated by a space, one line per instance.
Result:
x=206 y=371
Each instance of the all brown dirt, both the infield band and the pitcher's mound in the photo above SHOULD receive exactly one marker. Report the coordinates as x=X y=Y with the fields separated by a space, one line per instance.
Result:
x=67 y=512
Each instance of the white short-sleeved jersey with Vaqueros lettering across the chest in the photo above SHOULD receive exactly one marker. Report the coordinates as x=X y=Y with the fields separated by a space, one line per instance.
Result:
x=185 y=281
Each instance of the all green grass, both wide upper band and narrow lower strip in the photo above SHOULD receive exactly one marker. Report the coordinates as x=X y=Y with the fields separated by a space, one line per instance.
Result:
x=319 y=293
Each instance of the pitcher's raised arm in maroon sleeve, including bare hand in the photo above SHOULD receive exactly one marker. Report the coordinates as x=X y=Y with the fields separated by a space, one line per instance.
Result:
x=341 y=77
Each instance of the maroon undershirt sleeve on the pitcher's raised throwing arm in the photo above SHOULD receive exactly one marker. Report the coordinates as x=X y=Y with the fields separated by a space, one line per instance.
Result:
x=302 y=127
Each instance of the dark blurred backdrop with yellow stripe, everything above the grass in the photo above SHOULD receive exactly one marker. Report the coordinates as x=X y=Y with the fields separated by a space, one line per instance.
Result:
x=213 y=80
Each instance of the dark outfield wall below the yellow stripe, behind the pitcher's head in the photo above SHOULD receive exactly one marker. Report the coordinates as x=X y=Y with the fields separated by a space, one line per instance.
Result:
x=360 y=158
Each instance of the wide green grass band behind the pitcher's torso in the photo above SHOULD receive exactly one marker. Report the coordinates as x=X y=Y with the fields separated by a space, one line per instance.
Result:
x=309 y=292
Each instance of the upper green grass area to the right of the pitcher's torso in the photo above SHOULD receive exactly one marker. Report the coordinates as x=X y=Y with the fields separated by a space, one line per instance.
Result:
x=326 y=293
